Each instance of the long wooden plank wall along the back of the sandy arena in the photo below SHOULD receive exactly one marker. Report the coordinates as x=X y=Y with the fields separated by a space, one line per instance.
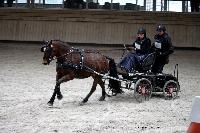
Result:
x=96 y=26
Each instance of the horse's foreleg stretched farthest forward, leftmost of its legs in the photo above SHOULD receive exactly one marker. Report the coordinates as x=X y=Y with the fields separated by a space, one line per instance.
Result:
x=57 y=88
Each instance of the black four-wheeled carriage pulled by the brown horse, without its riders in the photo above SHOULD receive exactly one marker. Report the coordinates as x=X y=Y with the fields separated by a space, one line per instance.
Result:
x=143 y=82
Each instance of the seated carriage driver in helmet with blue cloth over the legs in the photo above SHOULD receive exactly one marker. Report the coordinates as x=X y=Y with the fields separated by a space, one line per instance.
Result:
x=142 y=47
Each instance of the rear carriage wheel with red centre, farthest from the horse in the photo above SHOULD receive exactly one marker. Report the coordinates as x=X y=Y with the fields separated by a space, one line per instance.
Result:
x=171 y=89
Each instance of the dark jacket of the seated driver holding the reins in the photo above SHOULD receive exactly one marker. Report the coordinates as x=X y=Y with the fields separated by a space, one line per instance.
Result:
x=142 y=46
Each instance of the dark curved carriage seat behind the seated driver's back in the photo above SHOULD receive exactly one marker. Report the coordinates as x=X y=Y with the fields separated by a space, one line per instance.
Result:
x=146 y=64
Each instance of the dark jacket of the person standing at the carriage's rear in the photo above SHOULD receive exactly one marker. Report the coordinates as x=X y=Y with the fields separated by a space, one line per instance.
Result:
x=163 y=47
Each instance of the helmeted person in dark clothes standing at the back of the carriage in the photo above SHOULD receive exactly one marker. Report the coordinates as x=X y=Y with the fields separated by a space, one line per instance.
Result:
x=163 y=47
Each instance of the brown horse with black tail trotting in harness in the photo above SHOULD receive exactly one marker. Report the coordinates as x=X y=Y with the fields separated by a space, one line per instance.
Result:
x=75 y=63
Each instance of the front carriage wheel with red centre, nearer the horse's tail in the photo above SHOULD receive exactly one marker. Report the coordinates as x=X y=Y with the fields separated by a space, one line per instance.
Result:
x=142 y=90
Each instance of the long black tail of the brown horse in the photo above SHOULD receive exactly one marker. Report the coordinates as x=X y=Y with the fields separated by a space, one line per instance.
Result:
x=114 y=84
